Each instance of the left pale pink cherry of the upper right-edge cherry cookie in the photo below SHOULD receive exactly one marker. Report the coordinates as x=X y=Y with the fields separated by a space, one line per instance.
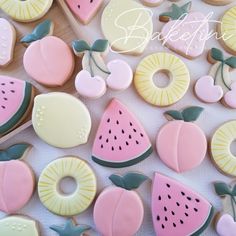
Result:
x=207 y=91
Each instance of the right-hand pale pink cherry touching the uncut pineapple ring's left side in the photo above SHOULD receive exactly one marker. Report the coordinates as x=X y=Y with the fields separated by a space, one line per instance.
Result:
x=121 y=75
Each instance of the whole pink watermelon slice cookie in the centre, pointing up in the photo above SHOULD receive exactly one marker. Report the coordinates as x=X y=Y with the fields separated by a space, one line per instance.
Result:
x=120 y=140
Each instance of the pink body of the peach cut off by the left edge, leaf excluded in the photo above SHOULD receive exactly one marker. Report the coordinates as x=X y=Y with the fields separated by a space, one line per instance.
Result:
x=16 y=185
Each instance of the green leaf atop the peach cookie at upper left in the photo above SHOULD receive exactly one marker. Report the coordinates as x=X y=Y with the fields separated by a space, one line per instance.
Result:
x=41 y=30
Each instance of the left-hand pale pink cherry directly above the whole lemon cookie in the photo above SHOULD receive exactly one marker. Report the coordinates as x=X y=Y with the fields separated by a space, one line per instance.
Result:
x=88 y=86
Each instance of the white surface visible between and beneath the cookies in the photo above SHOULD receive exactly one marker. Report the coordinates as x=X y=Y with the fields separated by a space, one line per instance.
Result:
x=199 y=179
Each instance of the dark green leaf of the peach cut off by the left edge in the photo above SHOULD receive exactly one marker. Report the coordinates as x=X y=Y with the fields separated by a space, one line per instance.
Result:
x=14 y=152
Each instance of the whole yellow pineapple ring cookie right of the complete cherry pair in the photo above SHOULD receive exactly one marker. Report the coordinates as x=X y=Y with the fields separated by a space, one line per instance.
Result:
x=173 y=67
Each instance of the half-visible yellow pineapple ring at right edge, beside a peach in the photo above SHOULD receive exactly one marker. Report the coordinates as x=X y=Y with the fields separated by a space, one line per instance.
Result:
x=222 y=156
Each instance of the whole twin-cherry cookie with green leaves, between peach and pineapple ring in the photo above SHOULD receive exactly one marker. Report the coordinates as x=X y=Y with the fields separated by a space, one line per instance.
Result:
x=92 y=80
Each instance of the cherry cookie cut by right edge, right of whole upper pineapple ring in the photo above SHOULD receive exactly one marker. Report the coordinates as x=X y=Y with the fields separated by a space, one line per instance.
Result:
x=218 y=85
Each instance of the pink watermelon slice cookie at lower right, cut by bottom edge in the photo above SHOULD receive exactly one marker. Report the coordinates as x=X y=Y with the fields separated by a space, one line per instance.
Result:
x=178 y=210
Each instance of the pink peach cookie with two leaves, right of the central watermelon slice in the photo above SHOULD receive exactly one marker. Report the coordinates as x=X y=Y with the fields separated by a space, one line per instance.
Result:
x=187 y=141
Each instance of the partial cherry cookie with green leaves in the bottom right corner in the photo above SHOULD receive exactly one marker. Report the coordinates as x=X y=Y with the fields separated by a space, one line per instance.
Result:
x=226 y=220
